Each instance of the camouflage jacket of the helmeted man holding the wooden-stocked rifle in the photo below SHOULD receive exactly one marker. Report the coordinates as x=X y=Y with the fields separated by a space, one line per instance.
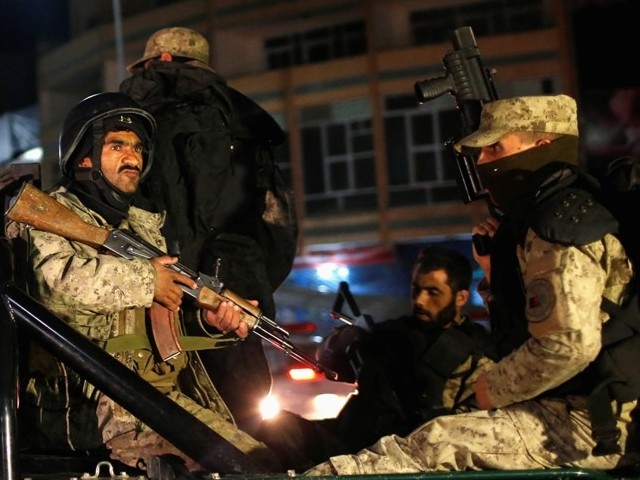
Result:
x=103 y=297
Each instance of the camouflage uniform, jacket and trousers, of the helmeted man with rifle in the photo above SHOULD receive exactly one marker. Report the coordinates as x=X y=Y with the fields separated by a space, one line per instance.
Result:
x=104 y=297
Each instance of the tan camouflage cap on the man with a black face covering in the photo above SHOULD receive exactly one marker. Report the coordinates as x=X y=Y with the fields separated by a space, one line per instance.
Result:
x=547 y=113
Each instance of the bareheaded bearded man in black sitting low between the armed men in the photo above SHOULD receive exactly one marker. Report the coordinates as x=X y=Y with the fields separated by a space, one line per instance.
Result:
x=415 y=367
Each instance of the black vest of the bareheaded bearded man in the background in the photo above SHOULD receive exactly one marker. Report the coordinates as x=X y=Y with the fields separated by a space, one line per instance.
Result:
x=402 y=376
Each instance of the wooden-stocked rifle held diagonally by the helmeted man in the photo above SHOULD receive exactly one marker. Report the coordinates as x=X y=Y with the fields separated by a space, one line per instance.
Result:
x=34 y=207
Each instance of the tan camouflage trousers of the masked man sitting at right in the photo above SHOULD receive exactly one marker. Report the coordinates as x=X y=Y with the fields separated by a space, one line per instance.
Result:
x=529 y=435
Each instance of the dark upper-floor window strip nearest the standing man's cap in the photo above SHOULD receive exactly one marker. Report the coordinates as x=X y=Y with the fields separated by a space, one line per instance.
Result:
x=317 y=45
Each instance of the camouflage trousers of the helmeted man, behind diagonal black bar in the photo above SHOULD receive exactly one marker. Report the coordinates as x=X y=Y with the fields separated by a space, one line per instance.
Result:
x=133 y=443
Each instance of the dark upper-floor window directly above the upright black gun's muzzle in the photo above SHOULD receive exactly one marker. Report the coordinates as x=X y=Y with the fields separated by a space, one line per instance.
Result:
x=487 y=18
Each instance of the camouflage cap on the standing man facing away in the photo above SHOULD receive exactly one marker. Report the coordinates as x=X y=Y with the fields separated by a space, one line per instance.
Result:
x=179 y=42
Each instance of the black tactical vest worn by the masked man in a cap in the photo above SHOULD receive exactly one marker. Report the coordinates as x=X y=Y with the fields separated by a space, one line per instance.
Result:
x=570 y=215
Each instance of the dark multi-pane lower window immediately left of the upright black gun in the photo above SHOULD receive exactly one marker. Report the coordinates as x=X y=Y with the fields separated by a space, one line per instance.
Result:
x=420 y=169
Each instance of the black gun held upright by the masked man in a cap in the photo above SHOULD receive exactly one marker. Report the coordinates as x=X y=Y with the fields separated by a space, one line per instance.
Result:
x=471 y=85
